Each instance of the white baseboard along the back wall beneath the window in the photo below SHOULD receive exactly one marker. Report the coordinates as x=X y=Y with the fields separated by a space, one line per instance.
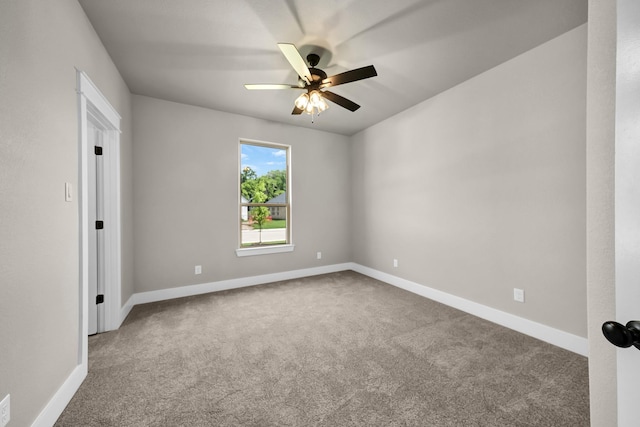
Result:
x=223 y=285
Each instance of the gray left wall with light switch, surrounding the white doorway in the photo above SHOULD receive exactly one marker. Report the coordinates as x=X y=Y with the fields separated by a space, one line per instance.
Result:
x=40 y=44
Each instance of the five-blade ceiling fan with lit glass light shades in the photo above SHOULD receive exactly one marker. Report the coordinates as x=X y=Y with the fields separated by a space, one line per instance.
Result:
x=315 y=82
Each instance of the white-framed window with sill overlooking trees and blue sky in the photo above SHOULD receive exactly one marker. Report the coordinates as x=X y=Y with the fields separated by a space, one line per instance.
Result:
x=265 y=198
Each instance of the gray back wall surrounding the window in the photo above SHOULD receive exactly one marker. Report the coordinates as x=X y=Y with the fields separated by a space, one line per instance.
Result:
x=186 y=194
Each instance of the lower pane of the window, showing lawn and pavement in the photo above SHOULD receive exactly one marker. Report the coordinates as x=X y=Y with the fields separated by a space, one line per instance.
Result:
x=271 y=231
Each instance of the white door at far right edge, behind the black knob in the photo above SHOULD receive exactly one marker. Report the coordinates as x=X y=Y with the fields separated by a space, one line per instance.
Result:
x=627 y=201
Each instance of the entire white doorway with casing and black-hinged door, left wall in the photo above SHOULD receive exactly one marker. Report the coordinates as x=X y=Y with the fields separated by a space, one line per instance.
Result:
x=99 y=200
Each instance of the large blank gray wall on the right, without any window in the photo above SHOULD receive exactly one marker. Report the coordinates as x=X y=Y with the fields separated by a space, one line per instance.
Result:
x=482 y=188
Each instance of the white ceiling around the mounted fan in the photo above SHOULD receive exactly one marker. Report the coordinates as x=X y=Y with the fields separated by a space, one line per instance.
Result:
x=201 y=52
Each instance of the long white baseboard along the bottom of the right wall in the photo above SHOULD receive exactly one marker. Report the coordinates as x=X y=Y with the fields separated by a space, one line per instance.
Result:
x=542 y=332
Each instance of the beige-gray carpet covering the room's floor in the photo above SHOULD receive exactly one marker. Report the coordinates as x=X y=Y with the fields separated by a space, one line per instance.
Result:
x=340 y=349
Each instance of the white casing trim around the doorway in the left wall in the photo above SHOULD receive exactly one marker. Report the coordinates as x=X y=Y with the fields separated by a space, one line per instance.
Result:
x=93 y=105
